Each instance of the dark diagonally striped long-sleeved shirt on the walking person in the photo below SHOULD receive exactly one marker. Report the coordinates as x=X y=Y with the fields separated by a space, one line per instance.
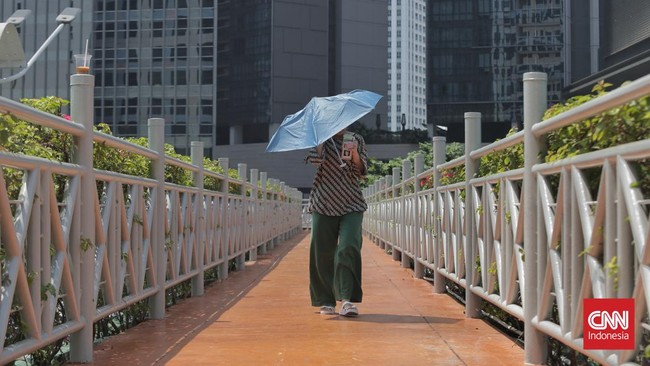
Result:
x=336 y=190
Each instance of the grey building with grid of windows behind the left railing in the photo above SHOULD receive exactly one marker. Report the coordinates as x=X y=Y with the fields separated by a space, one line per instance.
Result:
x=156 y=58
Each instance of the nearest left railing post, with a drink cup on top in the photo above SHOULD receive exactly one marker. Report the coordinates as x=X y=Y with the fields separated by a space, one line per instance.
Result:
x=81 y=111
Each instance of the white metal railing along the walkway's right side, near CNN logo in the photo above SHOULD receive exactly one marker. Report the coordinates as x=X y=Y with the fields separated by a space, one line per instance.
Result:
x=528 y=254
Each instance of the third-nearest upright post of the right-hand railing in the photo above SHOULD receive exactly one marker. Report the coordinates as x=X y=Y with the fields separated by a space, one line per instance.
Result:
x=439 y=153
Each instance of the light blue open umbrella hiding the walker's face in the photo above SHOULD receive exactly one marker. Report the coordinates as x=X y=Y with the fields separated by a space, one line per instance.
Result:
x=321 y=119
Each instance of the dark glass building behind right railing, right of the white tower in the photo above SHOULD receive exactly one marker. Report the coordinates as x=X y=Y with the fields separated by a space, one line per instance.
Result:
x=477 y=53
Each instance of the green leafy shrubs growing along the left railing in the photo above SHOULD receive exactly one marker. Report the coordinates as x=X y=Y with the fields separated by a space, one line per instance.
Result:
x=22 y=137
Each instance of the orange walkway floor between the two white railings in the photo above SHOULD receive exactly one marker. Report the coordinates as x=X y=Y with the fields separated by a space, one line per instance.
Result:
x=262 y=316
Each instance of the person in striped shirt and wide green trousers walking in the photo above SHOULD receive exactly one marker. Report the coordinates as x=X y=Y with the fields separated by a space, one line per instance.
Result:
x=337 y=207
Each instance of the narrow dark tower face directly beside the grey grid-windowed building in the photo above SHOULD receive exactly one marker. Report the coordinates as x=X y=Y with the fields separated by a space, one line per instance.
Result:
x=244 y=71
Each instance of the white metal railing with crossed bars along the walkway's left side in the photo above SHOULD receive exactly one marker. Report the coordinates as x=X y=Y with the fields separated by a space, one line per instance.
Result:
x=115 y=239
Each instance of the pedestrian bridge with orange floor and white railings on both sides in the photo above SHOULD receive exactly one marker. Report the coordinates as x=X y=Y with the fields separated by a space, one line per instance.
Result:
x=83 y=239
